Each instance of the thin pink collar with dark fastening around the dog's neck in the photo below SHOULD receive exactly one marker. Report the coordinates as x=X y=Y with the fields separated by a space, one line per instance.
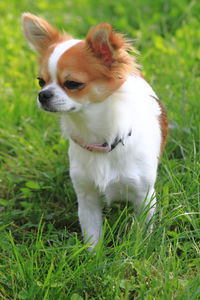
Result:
x=99 y=148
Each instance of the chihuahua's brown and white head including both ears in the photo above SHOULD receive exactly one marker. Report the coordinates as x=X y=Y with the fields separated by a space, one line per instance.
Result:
x=74 y=73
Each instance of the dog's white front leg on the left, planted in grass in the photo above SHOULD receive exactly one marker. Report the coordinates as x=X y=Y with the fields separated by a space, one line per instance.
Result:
x=90 y=217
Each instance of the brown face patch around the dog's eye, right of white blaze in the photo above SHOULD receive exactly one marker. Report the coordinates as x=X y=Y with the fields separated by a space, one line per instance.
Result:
x=76 y=65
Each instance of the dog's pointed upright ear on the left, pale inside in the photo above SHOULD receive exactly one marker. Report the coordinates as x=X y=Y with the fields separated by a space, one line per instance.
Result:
x=39 y=34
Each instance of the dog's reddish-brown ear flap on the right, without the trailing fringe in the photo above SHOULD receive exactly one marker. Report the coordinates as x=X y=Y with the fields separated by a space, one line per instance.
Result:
x=104 y=43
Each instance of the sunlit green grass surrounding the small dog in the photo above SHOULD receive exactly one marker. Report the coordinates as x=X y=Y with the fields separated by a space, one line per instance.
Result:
x=41 y=250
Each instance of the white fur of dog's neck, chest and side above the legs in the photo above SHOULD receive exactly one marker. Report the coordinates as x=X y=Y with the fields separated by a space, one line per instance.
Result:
x=130 y=108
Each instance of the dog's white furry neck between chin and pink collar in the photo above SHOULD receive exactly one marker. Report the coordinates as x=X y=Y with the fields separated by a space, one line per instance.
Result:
x=99 y=123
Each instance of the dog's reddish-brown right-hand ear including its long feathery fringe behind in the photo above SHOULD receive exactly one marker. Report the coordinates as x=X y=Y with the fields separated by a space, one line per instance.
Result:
x=110 y=50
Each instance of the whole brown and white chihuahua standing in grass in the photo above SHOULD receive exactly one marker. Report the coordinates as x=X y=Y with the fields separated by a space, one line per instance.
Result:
x=116 y=126
